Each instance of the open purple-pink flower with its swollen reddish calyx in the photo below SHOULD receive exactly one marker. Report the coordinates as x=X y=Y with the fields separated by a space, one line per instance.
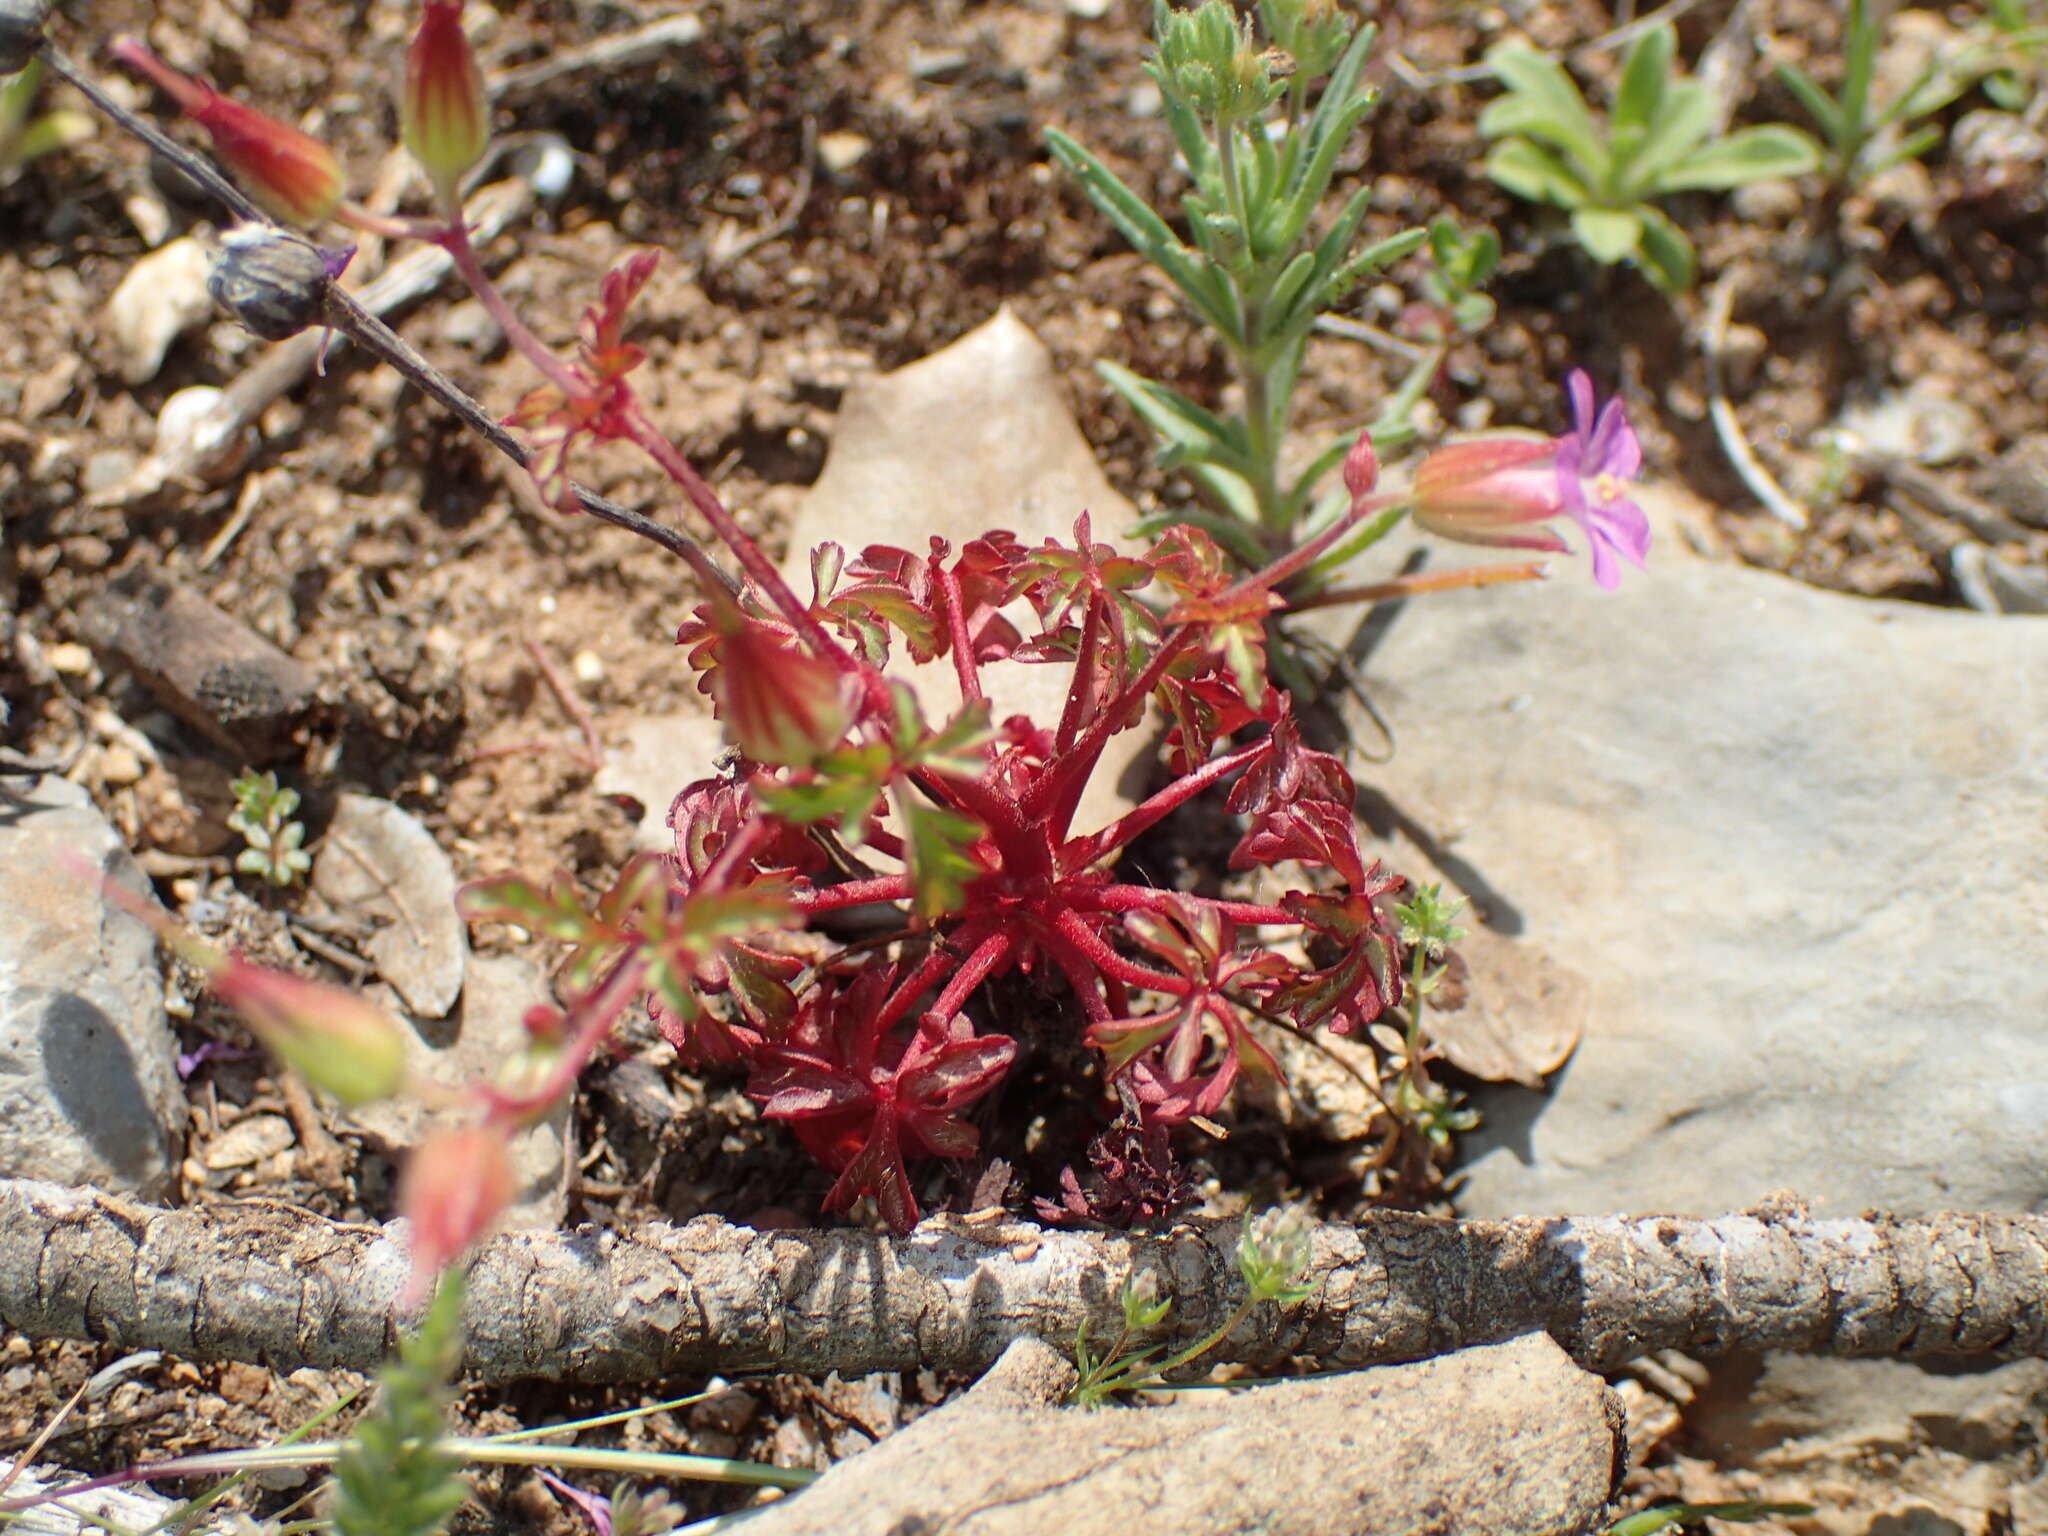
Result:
x=1500 y=490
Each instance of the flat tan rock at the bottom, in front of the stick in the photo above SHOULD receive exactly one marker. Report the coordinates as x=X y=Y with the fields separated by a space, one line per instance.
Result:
x=1506 y=1441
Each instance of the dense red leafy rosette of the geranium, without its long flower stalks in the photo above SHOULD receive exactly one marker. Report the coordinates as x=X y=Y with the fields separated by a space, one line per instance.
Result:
x=843 y=796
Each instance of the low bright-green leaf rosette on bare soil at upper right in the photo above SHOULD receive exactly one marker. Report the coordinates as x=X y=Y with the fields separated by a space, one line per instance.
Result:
x=1658 y=140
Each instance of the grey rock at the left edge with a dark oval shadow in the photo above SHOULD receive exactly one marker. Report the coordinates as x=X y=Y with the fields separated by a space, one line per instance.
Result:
x=89 y=1084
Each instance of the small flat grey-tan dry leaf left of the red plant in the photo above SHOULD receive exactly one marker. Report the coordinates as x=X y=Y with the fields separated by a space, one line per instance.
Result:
x=378 y=861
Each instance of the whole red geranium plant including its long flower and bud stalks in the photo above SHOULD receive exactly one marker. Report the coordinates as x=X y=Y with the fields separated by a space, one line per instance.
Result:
x=843 y=794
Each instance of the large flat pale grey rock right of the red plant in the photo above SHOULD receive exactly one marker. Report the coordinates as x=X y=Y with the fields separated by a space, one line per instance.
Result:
x=1781 y=853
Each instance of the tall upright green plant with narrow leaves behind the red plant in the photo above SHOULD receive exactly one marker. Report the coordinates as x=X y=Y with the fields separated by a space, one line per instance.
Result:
x=1258 y=265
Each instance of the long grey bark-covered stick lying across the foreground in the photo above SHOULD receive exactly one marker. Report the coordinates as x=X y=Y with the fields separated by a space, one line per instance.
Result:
x=280 y=1287
